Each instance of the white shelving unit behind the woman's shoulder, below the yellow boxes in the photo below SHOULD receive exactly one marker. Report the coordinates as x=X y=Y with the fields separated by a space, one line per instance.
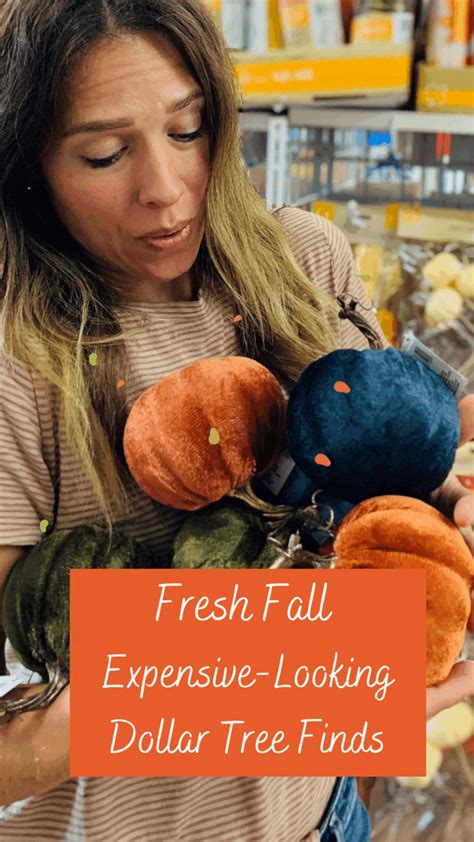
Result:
x=313 y=153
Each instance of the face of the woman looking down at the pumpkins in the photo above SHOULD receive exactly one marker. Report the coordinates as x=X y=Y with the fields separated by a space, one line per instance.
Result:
x=128 y=161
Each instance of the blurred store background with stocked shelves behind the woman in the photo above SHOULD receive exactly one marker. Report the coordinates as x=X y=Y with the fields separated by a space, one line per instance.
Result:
x=363 y=111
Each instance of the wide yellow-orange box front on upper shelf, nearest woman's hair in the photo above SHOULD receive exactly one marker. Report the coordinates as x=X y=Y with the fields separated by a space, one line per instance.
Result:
x=368 y=70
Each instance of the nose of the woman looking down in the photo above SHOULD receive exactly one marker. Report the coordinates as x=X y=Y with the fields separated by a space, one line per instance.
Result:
x=159 y=182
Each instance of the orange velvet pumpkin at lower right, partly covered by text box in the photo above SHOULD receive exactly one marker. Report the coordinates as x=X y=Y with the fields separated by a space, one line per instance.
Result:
x=401 y=532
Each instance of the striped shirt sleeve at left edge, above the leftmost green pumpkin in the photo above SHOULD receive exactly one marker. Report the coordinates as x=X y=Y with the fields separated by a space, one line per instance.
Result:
x=26 y=485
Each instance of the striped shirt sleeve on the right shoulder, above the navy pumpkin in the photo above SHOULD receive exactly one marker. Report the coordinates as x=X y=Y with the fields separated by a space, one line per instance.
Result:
x=347 y=283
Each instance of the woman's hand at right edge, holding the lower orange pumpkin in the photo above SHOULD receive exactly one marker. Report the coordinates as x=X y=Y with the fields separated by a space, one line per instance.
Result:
x=457 y=503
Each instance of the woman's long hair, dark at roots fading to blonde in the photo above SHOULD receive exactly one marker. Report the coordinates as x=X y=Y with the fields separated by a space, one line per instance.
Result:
x=56 y=308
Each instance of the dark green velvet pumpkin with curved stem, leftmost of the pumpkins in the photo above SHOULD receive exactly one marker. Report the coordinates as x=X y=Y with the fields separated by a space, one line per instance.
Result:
x=36 y=600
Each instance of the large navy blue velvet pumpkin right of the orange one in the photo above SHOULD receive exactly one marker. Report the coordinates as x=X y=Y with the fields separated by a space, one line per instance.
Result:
x=366 y=423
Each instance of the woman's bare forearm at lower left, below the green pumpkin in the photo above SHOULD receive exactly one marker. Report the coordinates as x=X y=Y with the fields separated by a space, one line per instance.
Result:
x=34 y=748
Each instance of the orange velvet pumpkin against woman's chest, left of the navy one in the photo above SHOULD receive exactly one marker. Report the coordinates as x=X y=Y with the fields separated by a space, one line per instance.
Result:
x=204 y=431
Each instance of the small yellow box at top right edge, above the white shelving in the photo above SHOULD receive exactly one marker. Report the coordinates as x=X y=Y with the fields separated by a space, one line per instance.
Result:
x=445 y=89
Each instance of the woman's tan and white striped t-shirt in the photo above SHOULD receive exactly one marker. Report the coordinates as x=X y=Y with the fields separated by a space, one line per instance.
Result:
x=177 y=333
